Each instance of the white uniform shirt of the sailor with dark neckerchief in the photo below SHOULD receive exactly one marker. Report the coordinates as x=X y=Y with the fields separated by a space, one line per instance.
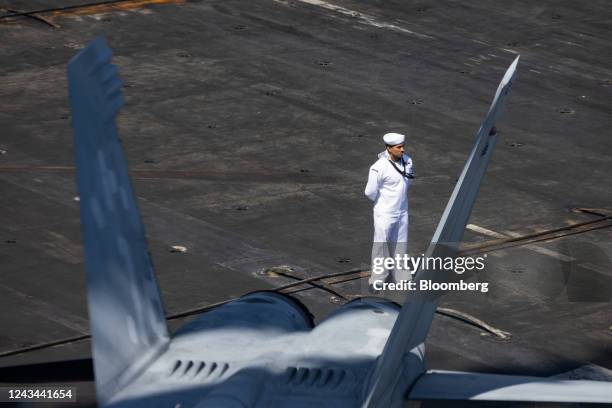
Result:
x=387 y=187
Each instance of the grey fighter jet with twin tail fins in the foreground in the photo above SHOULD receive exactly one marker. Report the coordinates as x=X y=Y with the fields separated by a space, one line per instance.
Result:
x=261 y=350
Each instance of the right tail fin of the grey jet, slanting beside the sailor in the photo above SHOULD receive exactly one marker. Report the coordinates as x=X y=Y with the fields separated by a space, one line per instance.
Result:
x=391 y=376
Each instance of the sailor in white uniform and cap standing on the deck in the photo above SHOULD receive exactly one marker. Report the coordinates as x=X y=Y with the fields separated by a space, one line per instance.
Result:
x=388 y=183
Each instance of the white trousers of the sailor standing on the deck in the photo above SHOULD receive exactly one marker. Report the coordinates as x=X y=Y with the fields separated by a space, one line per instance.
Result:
x=390 y=240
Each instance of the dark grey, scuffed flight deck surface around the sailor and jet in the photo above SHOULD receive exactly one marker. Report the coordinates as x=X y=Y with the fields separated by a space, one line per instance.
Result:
x=249 y=128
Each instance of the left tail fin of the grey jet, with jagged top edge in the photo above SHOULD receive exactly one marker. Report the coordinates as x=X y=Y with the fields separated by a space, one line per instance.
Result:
x=126 y=314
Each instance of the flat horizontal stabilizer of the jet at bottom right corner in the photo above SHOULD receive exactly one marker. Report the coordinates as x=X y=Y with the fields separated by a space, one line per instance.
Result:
x=451 y=385
